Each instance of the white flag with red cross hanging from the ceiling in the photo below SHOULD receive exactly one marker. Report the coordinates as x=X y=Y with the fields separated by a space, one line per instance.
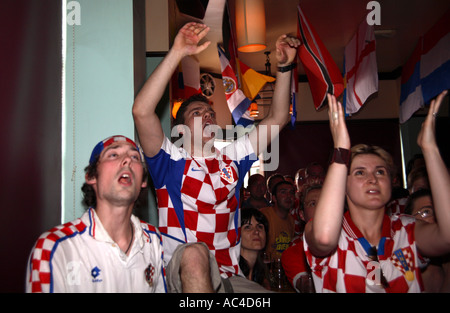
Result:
x=360 y=66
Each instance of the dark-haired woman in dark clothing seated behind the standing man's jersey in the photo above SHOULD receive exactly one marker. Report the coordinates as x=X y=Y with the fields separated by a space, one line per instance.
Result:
x=254 y=231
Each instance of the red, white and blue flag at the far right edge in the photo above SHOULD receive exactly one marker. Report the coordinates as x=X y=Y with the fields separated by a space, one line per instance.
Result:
x=427 y=72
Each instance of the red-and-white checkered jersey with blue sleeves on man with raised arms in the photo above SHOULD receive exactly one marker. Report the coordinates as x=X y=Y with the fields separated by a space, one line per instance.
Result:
x=198 y=199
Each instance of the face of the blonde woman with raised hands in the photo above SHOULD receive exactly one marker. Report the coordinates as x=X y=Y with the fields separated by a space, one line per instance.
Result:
x=368 y=183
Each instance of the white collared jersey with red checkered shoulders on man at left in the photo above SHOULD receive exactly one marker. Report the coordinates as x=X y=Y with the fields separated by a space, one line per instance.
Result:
x=80 y=256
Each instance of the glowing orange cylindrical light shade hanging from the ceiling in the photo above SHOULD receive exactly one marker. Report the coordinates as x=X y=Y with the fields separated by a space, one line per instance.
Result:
x=250 y=25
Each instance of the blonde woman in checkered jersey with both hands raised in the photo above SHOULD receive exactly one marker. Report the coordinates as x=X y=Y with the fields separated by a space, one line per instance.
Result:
x=362 y=249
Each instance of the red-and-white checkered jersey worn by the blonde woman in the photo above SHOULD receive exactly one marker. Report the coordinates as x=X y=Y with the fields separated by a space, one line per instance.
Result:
x=349 y=269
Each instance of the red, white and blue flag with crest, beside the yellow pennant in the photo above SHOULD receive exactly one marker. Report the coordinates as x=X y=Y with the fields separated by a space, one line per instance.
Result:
x=237 y=102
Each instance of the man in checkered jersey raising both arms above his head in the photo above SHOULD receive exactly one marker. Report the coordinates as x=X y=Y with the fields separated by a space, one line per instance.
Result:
x=197 y=185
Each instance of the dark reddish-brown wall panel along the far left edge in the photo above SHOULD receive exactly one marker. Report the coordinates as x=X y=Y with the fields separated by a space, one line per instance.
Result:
x=30 y=130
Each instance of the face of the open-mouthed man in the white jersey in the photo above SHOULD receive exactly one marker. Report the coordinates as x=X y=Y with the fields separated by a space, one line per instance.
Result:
x=119 y=174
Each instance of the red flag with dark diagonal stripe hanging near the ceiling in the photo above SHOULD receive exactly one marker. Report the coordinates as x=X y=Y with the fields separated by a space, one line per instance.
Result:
x=323 y=74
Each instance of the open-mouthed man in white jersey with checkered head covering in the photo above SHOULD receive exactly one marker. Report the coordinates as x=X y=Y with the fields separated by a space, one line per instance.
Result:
x=108 y=249
